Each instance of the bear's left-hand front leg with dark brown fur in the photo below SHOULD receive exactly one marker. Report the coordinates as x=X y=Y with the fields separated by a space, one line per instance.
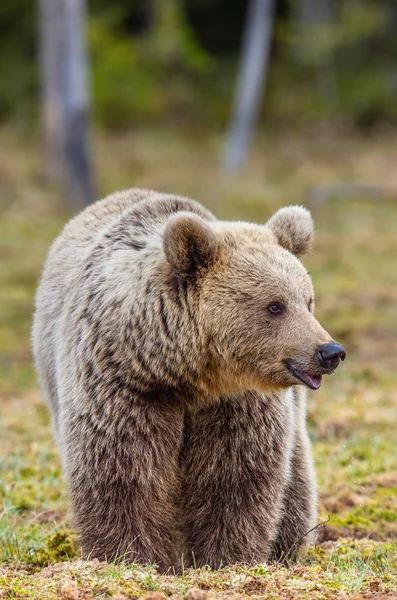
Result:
x=121 y=463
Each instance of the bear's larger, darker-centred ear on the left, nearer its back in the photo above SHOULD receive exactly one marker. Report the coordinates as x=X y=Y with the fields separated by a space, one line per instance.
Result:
x=189 y=244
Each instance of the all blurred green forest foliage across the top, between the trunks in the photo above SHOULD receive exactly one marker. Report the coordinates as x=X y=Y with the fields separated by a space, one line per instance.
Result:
x=175 y=62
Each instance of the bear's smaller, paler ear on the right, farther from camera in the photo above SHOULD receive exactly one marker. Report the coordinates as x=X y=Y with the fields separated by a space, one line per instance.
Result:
x=293 y=229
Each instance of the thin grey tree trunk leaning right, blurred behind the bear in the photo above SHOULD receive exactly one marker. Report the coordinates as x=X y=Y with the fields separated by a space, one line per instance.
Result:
x=250 y=82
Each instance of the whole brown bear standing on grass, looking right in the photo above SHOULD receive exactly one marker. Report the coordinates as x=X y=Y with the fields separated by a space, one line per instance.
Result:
x=173 y=350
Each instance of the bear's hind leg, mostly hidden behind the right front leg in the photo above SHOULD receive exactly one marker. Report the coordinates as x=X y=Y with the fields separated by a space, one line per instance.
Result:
x=295 y=529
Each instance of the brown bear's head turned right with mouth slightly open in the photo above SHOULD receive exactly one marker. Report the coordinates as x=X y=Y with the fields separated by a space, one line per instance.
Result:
x=255 y=298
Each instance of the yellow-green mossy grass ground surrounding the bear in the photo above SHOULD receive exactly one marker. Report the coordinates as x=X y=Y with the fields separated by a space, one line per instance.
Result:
x=352 y=418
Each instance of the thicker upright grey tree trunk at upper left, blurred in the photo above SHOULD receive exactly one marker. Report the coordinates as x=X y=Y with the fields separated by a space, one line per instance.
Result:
x=65 y=103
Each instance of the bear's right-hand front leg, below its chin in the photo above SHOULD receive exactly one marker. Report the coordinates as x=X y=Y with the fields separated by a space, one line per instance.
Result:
x=235 y=460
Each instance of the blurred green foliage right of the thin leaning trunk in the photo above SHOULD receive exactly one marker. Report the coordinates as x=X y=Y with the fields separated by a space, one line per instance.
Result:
x=339 y=68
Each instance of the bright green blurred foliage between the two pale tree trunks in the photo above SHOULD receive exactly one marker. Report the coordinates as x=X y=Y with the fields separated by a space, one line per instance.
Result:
x=160 y=76
